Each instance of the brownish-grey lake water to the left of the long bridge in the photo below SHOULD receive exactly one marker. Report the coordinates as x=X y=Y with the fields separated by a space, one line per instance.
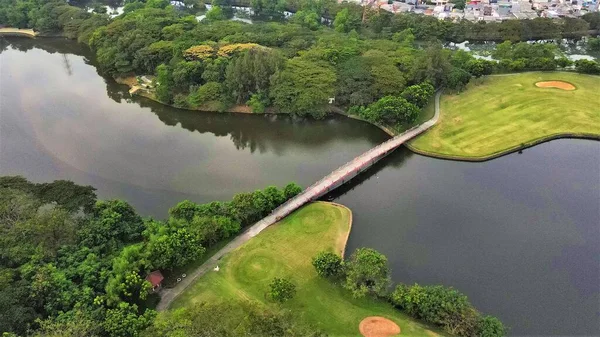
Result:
x=61 y=120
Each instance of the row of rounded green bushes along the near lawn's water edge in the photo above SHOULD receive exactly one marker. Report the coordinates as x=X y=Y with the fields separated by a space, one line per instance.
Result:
x=367 y=273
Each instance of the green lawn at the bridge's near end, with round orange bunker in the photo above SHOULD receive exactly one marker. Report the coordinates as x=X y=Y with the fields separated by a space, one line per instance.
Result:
x=285 y=250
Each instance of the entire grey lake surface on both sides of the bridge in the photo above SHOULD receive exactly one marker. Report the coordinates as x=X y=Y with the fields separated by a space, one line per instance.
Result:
x=520 y=235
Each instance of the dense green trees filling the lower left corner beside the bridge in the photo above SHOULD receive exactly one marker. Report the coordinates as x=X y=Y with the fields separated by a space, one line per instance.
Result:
x=73 y=264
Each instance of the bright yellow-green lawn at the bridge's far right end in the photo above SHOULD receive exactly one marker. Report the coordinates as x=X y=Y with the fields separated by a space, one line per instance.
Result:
x=498 y=114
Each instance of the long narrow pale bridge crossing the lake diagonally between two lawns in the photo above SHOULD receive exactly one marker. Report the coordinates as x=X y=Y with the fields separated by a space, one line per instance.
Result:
x=312 y=193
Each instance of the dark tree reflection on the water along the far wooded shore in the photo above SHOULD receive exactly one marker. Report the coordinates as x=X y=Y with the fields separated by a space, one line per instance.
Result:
x=264 y=133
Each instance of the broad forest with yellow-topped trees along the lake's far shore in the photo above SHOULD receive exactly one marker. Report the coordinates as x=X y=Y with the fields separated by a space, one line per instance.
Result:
x=379 y=66
